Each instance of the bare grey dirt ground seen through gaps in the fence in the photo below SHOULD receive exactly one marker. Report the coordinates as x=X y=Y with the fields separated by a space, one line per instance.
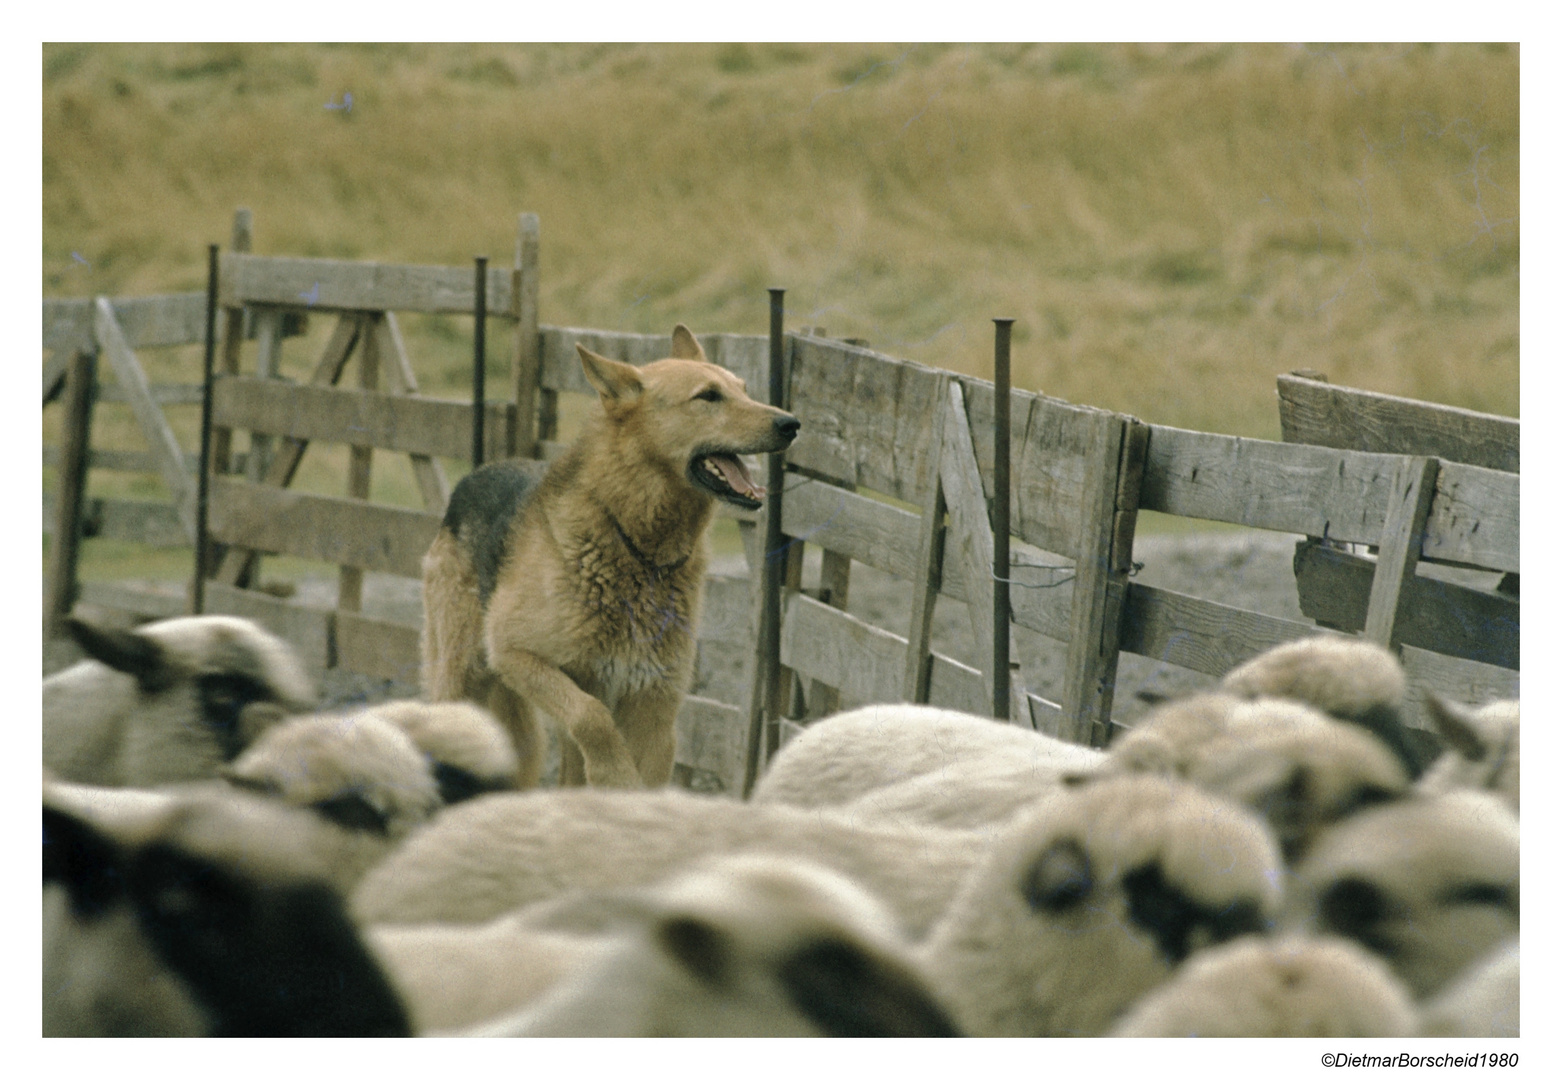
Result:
x=1243 y=570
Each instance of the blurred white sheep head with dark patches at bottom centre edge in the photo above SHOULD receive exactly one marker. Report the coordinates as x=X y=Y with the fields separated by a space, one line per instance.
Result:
x=747 y=946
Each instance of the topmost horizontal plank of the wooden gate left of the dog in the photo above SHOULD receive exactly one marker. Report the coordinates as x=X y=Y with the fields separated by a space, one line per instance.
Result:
x=335 y=285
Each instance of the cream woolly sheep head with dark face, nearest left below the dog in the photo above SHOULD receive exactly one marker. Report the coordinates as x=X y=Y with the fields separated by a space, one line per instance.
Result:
x=354 y=770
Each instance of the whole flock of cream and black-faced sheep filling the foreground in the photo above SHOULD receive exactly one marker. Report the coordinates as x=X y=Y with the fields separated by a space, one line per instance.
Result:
x=1271 y=859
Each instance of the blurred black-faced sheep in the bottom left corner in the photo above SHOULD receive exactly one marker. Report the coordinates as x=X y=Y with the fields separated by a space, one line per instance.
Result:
x=199 y=928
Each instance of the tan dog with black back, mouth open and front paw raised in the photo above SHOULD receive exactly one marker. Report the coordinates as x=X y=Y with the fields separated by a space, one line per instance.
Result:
x=577 y=595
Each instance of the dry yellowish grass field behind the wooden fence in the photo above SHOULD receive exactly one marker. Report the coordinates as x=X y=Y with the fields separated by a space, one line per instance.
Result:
x=1169 y=226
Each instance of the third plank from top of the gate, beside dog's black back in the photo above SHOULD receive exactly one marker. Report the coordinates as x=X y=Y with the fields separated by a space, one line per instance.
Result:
x=321 y=527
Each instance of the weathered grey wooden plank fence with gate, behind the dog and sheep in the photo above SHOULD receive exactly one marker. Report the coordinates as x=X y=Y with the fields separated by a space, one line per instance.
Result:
x=893 y=470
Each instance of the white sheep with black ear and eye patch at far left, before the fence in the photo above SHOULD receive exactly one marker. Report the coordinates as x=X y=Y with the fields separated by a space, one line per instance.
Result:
x=169 y=701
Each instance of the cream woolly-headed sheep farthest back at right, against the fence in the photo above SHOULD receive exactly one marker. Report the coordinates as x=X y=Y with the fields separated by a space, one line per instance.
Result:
x=1350 y=679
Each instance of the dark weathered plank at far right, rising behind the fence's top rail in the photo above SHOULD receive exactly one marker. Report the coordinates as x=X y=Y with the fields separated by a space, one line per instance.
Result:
x=1352 y=420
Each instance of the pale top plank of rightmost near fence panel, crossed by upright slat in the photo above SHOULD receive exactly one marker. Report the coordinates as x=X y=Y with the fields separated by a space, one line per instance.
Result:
x=1319 y=492
